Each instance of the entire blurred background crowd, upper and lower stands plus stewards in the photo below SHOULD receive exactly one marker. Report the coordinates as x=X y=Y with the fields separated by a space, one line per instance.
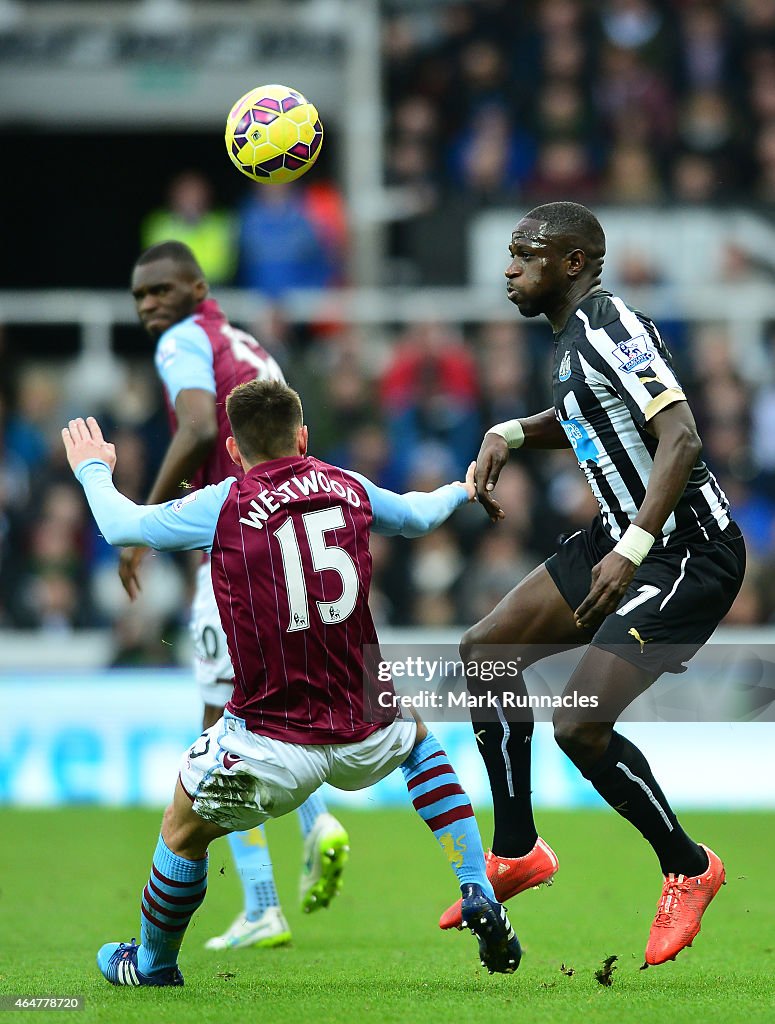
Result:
x=634 y=102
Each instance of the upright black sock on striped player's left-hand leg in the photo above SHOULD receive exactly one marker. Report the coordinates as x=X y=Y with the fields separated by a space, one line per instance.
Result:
x=505 y=748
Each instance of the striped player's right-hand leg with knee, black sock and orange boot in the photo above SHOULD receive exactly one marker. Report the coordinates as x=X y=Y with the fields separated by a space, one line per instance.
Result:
x=622 y=776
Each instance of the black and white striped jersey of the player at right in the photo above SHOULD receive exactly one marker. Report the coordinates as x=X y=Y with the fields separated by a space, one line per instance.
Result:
x=612 y=375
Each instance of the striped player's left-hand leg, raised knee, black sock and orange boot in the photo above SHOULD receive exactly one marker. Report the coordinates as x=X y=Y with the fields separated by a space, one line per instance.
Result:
x=535 y=621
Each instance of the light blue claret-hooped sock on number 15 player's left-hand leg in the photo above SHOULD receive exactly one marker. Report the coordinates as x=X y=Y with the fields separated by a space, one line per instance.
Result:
x=176 y=889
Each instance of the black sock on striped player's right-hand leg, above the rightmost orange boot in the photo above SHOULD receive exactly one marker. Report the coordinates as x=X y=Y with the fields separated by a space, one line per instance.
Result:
x=624 y=780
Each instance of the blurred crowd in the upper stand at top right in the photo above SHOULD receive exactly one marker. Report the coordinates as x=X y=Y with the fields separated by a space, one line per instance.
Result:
x=635 y=102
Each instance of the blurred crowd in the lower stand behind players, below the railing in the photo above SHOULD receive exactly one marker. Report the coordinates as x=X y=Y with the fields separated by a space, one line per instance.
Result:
x=407 y=407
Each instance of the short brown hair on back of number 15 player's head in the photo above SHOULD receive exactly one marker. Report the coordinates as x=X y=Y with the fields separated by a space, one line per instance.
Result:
x=266 y=417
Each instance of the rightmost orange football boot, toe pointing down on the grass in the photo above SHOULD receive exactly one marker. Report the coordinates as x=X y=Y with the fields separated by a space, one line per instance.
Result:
x=680 y=911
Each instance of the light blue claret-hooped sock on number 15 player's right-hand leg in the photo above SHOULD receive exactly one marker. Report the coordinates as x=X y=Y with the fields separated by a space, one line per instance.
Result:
x=443 y=804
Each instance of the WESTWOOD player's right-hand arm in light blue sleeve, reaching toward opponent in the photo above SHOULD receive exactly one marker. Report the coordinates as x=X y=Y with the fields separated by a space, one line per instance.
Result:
x=416 y=513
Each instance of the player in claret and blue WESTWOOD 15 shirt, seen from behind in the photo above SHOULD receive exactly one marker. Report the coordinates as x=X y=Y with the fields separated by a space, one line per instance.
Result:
x=291 y=570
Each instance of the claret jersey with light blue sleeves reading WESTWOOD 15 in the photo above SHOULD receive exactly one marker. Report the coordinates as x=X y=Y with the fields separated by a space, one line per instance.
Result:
x=291 y=572
